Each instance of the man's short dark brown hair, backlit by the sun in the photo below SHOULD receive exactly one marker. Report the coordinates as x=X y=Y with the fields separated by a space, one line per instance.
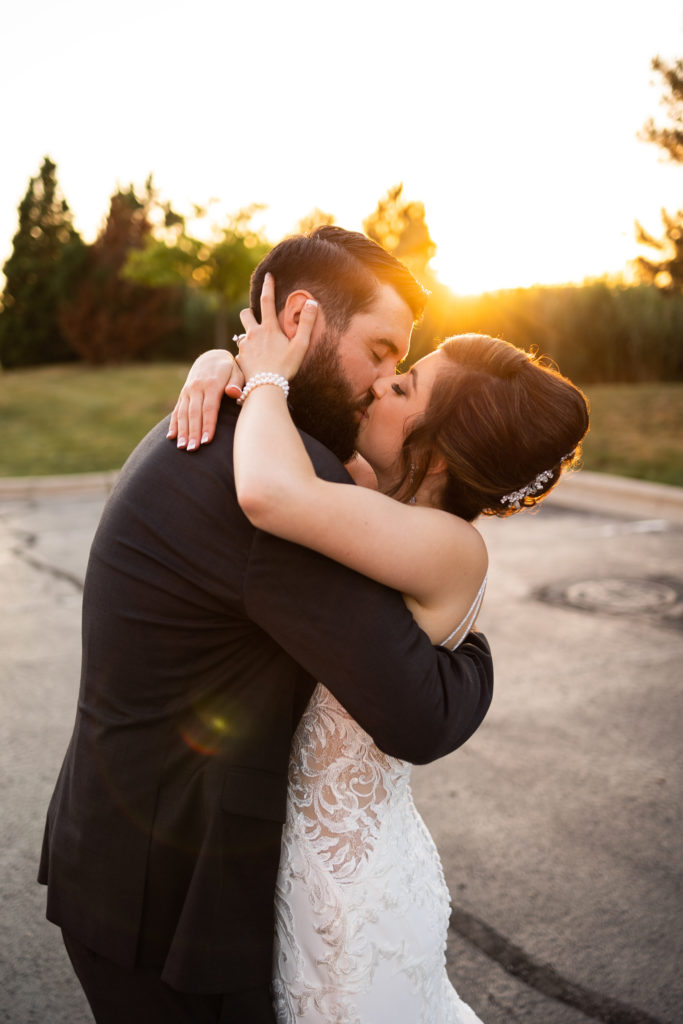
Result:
x=340 y=269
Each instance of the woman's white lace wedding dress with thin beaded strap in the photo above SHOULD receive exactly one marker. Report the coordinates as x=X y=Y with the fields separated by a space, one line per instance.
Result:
x=362 y=907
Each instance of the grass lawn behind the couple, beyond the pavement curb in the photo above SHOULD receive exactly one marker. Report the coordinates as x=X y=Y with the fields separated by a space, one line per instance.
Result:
x=75 y=419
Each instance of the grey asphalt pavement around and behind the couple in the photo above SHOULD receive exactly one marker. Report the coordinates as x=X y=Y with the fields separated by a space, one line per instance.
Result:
x=559 y=824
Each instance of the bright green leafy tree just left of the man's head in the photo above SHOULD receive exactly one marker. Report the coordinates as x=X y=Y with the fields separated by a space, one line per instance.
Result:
x=219 y=271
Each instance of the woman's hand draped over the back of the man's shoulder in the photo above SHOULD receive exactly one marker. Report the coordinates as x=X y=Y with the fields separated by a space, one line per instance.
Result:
x=211 y=376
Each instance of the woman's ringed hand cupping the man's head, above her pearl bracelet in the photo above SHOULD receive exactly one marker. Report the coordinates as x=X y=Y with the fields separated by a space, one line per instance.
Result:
x=266 y=349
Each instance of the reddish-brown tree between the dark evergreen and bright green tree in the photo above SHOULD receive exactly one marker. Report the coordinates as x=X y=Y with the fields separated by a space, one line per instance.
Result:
x=109 y=319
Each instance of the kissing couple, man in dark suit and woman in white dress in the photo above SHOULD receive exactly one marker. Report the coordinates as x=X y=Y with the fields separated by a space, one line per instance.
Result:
x=268 y=649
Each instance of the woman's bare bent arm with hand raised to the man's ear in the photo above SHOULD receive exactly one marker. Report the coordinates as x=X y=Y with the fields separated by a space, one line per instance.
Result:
x=418 y=551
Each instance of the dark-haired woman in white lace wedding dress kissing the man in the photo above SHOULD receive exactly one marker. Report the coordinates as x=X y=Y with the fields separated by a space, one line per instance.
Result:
x=478 y=426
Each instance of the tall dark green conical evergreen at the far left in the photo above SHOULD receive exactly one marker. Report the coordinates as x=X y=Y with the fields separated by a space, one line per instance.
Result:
x=48 y=253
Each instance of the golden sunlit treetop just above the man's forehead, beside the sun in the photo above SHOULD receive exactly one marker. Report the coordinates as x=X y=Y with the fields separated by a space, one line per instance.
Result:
x=400 y=228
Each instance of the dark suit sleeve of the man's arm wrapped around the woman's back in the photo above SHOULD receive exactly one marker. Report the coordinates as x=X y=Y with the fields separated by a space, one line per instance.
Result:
x=417 y=702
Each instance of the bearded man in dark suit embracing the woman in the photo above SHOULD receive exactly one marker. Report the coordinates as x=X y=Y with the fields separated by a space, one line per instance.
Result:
x=202 y=643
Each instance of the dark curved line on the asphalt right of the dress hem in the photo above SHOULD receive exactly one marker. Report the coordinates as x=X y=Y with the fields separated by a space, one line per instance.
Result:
x=543 y=977
